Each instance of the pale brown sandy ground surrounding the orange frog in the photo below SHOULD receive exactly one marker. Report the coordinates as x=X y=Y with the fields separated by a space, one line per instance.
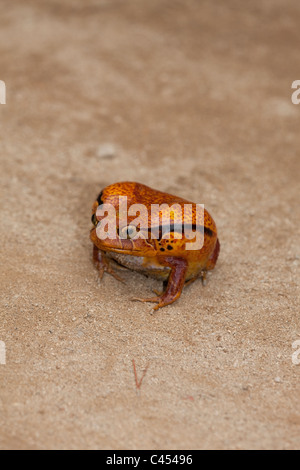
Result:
x=190 y=97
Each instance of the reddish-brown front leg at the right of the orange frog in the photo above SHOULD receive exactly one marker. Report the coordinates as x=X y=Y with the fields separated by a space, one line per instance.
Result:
x=175 y=282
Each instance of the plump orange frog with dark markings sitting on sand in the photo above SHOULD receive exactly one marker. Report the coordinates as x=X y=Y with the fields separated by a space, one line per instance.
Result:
x=164 y=257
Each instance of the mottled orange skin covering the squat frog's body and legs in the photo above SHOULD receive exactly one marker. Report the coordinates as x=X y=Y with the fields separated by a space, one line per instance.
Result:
x=167 y=258
